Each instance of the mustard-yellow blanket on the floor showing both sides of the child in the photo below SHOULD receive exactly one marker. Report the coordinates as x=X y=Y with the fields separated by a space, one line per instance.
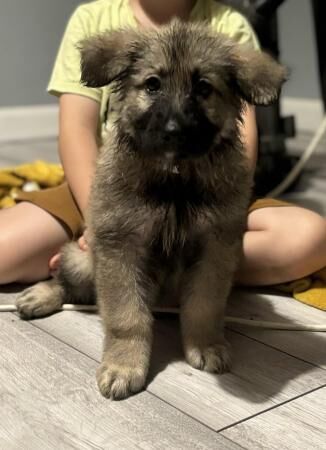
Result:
x=310 y=290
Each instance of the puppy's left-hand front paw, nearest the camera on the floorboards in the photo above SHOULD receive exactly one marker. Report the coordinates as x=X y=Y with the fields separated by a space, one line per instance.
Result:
x=119 y=381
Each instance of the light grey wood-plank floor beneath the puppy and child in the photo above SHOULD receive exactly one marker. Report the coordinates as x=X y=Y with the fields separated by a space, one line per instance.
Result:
x=273 y=398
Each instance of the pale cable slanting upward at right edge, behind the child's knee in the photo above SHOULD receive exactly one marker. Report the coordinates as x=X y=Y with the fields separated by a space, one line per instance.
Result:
x=293 y=174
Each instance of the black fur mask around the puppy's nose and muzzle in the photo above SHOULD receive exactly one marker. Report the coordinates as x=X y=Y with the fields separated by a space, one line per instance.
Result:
x=173 y=130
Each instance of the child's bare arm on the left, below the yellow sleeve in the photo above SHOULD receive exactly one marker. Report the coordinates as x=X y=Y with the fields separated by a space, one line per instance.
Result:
x=78 y=121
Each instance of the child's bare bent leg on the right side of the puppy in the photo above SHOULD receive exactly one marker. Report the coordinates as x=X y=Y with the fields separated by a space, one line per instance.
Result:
x=282 y=244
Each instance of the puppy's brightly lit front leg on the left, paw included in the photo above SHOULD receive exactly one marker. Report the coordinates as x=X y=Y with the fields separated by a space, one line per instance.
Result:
x=124 y=295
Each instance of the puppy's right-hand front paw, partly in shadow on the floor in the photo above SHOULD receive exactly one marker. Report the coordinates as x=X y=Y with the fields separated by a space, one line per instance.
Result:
x=215 y=358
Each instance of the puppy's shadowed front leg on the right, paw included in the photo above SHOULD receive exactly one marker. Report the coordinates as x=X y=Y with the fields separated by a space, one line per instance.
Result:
x=206 y=286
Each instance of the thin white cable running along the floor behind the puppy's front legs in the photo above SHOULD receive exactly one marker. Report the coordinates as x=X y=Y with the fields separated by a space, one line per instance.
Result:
x=228 y=319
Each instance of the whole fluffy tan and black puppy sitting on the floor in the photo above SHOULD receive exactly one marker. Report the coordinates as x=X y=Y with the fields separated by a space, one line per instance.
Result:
x=170 y=194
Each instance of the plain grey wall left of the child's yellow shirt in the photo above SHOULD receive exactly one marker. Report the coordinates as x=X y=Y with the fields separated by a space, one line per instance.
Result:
x=30 y=33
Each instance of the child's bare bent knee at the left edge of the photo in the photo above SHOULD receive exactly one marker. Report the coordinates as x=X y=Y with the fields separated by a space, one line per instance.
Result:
x=29 y=236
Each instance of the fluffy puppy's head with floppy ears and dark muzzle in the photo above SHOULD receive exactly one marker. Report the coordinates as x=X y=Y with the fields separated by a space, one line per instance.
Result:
x=181 y=89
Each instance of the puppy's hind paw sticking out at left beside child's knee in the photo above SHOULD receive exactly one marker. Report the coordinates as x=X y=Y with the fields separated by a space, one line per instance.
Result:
x=40 y=300
